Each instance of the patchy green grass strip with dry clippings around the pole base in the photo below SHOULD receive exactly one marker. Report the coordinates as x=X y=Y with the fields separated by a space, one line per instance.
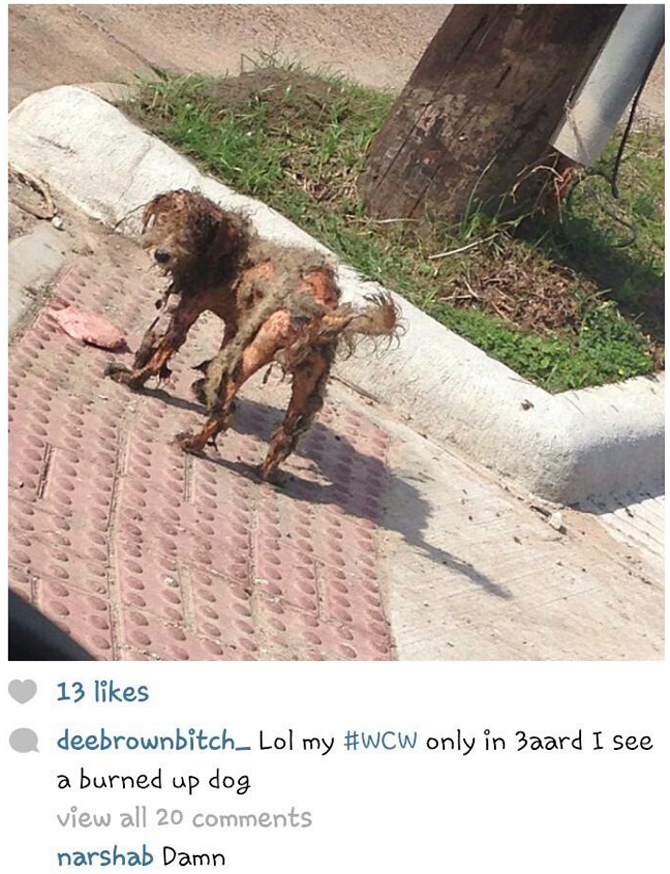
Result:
x=557 y=302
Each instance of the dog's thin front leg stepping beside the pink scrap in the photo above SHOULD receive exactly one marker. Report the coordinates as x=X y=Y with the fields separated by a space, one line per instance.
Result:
x=156 y=348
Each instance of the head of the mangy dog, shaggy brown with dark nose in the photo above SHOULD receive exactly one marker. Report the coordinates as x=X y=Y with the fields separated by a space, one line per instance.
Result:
x=187 y=233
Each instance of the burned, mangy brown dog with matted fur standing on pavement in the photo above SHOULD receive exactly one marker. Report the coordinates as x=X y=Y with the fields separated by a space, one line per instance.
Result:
x=278 y=304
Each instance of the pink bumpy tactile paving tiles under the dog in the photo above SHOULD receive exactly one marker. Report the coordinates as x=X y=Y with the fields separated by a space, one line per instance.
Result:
x=141 y=552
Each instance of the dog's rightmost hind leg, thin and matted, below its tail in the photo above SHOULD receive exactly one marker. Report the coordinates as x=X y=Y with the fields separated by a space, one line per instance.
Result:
x=309 y=383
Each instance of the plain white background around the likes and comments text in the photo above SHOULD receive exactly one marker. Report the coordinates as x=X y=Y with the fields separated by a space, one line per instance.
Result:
x=373 y=811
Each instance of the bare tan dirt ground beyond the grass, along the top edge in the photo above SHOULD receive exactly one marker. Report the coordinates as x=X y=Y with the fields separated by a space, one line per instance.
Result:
x=375 y=45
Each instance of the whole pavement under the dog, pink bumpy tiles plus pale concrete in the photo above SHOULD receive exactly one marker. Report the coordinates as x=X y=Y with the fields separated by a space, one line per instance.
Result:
x=381 y=545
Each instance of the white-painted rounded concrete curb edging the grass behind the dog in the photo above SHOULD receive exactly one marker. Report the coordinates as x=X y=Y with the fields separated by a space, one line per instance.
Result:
x=563 y=447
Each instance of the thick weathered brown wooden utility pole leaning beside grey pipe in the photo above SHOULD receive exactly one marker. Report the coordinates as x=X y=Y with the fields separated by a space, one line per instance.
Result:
x=481 y=106
